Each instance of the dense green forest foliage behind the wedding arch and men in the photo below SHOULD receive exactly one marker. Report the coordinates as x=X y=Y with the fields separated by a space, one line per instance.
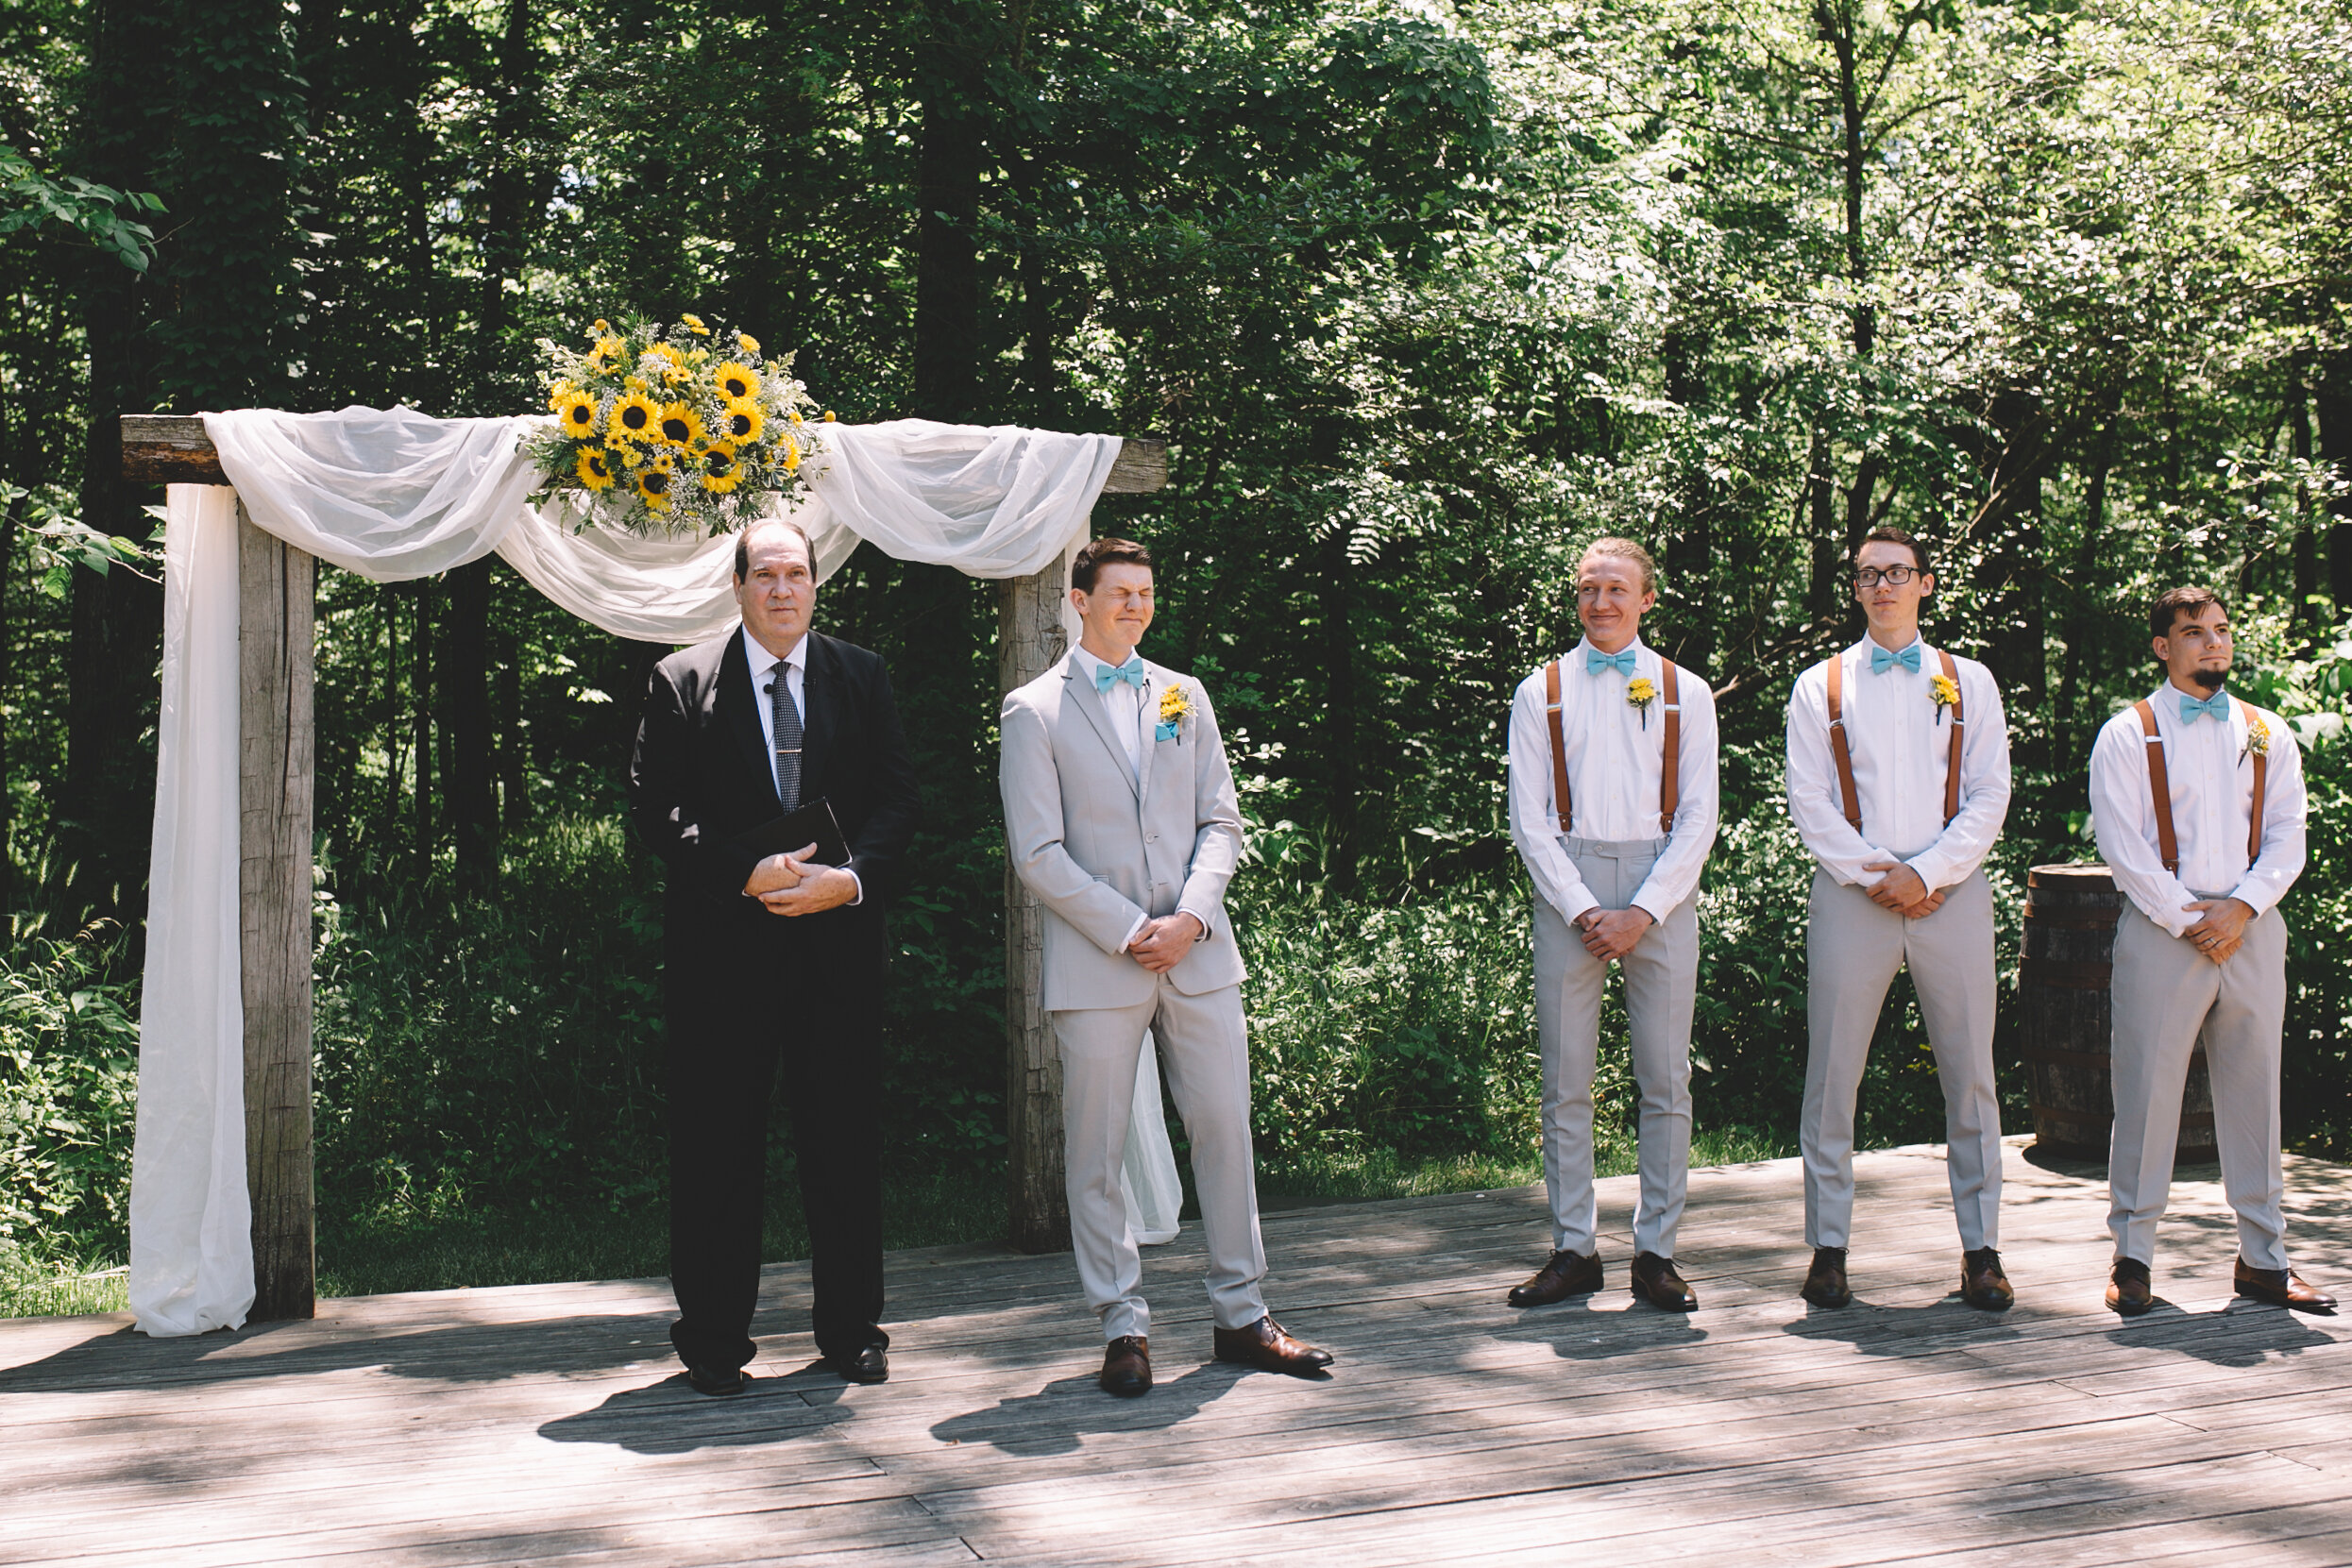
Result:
x=1426 y=295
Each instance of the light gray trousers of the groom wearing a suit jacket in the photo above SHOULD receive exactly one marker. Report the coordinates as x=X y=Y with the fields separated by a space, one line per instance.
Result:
x=1205 y=1057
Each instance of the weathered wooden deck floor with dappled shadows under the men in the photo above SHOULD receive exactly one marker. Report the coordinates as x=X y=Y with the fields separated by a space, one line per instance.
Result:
x=544 y=1423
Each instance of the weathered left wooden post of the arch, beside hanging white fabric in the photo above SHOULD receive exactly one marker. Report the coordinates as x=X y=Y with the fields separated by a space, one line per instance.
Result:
x=276 y=605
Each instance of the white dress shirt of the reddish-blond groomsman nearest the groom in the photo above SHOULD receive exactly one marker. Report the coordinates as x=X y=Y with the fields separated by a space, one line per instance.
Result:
x=1615 y=756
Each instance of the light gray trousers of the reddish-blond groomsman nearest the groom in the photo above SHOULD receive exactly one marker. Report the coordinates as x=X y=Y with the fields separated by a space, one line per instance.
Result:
x=1662 y=989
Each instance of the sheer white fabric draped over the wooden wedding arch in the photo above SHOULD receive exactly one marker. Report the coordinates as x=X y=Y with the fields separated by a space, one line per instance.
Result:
x=396 y=495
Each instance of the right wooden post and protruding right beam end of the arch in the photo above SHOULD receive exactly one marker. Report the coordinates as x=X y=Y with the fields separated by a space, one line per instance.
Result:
x=1029 y=643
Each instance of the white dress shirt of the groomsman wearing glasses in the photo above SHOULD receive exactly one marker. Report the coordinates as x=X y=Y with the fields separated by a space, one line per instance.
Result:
x=1902 y=746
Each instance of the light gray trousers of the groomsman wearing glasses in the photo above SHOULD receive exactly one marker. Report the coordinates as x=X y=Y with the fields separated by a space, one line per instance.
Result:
x=1852 y=956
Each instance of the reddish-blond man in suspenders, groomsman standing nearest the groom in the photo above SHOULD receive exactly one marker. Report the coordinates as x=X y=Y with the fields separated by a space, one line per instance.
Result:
x=1612 y=805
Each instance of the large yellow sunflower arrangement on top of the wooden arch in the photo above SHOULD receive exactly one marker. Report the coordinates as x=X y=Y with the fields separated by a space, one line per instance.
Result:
x=671 y=429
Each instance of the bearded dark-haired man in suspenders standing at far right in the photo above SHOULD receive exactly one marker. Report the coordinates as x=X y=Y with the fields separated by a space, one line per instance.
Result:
x=2198 y=805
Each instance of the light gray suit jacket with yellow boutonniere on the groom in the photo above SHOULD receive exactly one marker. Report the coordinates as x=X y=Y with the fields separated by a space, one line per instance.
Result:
x=1102 y=847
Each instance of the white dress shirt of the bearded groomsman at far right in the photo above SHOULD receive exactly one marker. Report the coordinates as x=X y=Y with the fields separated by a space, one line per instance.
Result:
x=2210 y=772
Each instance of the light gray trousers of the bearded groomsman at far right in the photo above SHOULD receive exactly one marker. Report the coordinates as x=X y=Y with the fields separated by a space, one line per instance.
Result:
x=2167 y=996
